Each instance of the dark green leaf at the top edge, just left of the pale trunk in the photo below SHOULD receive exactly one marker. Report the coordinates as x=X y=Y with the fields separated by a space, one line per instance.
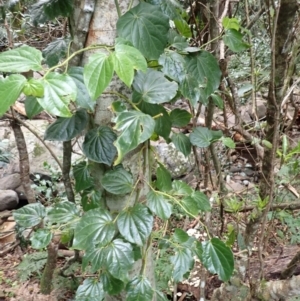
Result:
x=56 y=8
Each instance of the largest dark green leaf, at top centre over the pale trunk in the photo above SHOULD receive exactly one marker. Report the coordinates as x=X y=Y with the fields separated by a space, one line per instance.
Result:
x=146 y=28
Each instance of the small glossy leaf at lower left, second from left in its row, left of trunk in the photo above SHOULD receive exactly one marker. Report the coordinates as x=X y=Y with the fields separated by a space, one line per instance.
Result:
x=63 y=212
